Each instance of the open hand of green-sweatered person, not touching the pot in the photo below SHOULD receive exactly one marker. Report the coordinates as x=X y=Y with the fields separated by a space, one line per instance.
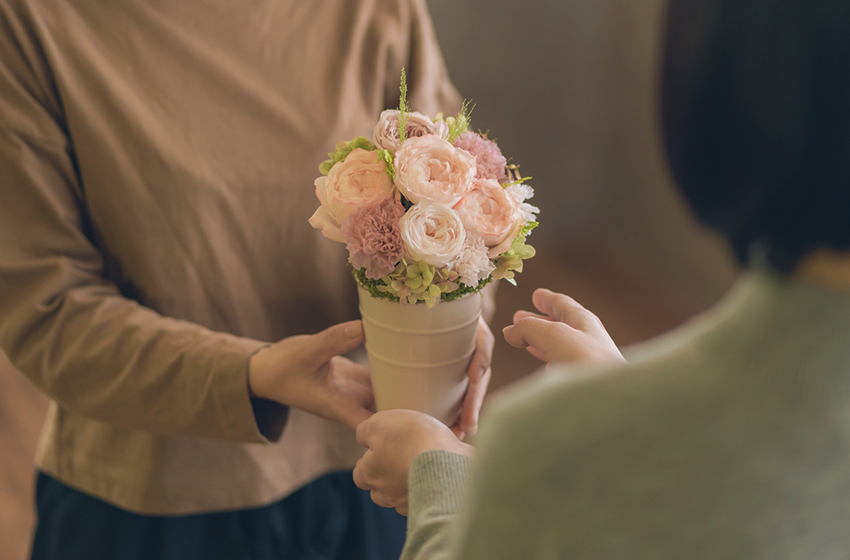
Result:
x=565 y=332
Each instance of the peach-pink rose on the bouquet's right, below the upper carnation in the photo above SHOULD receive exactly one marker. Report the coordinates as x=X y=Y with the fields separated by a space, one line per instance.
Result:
x=491 y=213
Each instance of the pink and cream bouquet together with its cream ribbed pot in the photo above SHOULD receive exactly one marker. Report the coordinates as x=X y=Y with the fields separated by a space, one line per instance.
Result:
x=431 y=212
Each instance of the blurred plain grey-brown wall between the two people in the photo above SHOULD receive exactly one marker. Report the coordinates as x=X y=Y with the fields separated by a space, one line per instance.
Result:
x=569 y=90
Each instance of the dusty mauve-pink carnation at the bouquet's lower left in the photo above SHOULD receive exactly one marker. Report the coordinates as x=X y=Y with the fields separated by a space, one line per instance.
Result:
x=373 y=238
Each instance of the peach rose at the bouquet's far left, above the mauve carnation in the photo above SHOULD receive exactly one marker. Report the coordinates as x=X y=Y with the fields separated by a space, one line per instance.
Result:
x=360 y=180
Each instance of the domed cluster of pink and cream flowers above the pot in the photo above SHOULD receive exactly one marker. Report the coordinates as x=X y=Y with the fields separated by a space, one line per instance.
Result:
x=428 y=209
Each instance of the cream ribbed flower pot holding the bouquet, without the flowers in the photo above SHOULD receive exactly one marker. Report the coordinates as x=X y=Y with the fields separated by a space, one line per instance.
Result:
x=419 y=356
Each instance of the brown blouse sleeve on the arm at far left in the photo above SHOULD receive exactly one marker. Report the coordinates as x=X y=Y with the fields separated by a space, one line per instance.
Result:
x=66 y=327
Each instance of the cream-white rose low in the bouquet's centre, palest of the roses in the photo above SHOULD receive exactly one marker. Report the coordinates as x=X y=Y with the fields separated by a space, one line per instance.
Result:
x=432 y=233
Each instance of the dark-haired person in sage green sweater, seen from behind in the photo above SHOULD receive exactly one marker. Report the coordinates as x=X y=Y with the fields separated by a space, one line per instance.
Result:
x=727 y=438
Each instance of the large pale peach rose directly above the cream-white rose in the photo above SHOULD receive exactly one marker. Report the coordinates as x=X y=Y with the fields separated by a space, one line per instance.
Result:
x=429 y=168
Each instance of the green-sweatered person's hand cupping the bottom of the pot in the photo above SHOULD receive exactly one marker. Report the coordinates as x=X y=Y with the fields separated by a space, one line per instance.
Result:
x=393 y=438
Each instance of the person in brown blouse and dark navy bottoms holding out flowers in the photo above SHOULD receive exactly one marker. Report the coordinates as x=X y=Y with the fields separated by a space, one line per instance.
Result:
x=156 y=170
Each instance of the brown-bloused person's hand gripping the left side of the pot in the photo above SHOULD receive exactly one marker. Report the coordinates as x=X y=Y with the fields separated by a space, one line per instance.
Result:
x=307 y=372
